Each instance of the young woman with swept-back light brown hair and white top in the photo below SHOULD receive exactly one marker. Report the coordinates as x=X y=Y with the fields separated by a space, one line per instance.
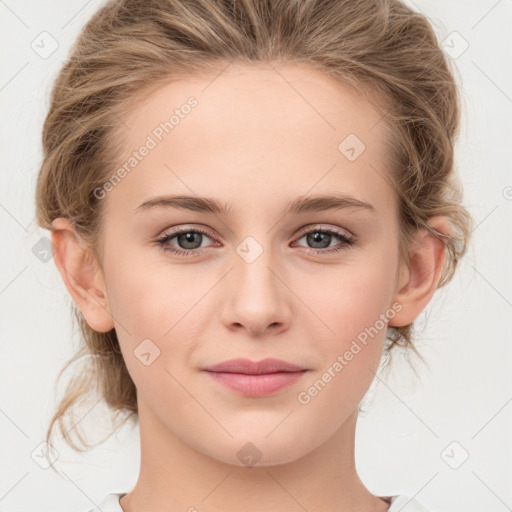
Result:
x=250 y=201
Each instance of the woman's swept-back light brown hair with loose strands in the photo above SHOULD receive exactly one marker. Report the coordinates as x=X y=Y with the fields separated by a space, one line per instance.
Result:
x=130 y=48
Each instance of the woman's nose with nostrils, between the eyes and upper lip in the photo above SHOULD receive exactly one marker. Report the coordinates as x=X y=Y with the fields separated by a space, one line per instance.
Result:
x=257 y=299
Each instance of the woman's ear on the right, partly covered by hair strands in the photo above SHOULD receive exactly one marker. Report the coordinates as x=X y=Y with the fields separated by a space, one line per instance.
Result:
x=419 y=279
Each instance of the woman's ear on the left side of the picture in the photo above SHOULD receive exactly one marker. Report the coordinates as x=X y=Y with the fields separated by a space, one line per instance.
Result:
x=82 y=275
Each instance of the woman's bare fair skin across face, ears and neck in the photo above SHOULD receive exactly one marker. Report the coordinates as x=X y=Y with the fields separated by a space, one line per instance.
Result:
x=255 y=141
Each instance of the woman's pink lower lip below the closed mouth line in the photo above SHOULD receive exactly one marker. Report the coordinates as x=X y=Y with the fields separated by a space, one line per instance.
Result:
x=257 y=385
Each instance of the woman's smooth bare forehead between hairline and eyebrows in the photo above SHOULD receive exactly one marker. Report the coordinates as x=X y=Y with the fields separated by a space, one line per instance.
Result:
x=253 y=130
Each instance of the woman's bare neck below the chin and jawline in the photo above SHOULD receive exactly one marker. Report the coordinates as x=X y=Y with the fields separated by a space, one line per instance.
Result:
x=173 y=476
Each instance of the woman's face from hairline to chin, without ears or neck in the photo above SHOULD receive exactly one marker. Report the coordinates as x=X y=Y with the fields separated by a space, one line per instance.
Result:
x=262 y=275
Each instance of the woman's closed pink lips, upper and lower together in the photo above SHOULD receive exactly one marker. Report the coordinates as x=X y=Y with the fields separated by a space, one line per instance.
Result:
x=258 y=378
